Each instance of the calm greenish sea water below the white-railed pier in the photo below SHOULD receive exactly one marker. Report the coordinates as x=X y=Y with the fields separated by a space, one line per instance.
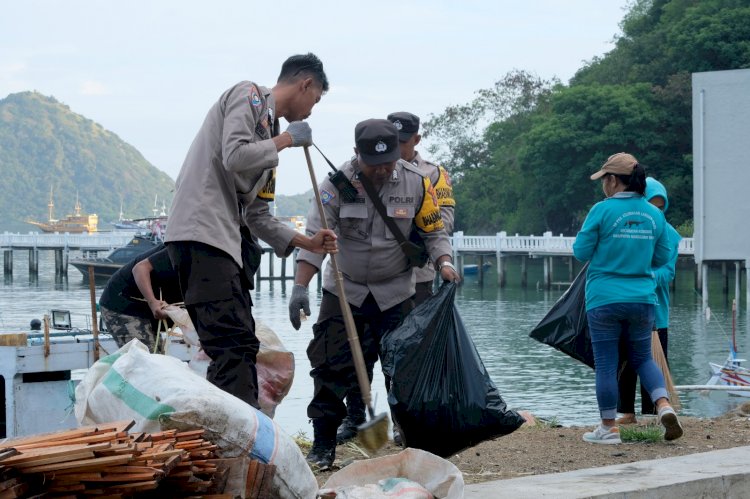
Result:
x=530 y=375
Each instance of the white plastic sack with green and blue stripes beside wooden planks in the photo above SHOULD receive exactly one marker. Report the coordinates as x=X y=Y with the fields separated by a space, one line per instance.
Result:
x=160 y=392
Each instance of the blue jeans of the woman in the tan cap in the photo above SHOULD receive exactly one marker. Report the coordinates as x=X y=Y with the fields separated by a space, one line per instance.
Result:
x=633 y=322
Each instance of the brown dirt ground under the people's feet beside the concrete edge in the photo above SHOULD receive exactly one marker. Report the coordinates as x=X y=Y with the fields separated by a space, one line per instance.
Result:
x=540 y=448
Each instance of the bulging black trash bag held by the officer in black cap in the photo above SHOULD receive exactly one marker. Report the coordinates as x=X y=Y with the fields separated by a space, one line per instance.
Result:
x=441 y=395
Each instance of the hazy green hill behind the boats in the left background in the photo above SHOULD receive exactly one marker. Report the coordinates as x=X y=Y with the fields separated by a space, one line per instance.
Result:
x=43 y=145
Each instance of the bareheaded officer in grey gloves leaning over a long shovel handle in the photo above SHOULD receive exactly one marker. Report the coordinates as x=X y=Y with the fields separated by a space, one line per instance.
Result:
x=228 y=175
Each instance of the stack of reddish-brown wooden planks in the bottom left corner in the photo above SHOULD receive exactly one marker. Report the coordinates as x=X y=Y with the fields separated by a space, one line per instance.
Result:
x=107 y=461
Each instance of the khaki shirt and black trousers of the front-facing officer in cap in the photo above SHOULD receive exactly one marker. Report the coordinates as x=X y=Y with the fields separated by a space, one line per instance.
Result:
x=378 y=281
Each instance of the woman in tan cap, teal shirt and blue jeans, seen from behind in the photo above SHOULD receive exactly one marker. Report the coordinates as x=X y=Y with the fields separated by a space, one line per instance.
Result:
x=623 y=238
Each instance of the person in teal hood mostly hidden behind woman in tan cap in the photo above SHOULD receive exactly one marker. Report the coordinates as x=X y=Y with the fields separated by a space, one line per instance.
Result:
x=655 y=194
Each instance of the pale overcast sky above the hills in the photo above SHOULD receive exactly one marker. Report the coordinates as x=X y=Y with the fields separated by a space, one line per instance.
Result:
x=149 y=70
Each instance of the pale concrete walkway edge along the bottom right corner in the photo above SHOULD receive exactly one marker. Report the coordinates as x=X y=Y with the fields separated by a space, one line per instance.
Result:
x=715 y=474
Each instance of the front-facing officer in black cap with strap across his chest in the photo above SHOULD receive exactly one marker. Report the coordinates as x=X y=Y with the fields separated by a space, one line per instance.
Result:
x=378 y=280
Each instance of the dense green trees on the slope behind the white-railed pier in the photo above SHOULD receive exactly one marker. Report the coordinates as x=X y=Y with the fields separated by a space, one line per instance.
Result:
x=520 y=153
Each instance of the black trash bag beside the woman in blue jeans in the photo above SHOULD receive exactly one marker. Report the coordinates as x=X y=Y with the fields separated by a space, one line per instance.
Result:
x=565 y=326
